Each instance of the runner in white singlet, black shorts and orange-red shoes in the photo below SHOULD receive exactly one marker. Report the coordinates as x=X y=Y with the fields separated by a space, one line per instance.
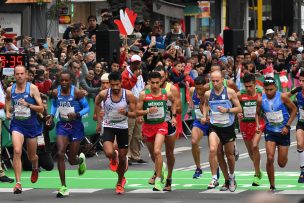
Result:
x=119 y=104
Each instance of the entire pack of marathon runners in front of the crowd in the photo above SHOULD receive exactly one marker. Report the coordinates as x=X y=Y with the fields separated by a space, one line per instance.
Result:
x=217 y=106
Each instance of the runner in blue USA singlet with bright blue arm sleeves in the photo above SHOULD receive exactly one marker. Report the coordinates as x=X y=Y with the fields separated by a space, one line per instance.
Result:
x=71 y=104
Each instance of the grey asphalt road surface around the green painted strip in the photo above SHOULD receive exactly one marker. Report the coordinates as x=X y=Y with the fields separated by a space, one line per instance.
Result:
x=184 y=162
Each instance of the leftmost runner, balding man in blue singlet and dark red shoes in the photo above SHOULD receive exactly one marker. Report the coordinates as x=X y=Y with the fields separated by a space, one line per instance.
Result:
x=26 y=101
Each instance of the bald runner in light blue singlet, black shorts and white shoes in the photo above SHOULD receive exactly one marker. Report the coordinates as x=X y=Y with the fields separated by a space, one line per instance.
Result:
x=219 y=101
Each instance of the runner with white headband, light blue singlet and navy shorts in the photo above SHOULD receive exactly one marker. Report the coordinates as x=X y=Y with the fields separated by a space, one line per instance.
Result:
x=275 y=106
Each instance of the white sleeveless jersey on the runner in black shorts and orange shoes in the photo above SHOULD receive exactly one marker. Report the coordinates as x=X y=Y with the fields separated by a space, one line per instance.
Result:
x=112 y=118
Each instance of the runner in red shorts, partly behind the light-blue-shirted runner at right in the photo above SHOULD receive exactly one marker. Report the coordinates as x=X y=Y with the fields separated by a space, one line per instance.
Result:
x=251 y=134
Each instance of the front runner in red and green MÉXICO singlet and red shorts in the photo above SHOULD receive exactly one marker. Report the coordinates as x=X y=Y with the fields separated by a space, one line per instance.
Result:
x=152 y=105
